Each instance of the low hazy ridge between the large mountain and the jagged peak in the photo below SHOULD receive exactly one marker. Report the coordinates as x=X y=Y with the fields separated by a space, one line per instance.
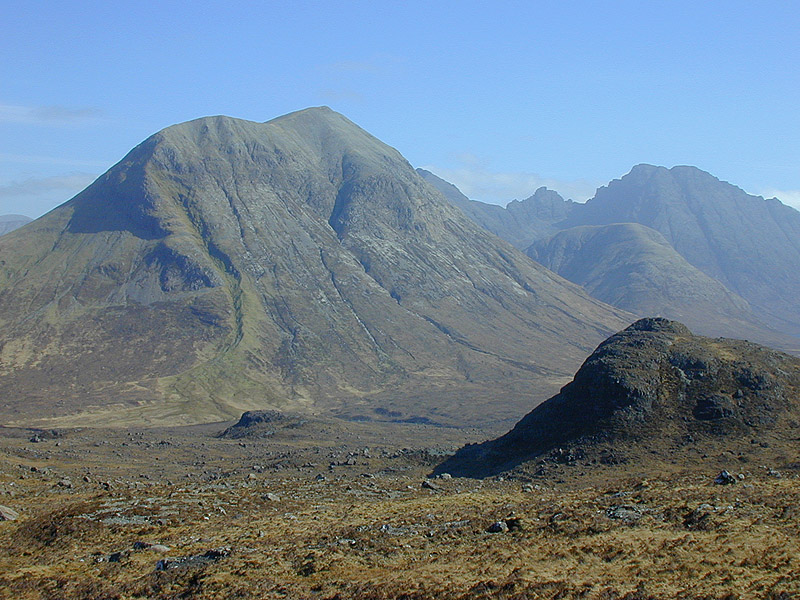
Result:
x=520 y=222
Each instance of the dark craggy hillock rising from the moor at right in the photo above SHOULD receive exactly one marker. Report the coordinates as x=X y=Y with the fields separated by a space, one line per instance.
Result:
x=654 y=389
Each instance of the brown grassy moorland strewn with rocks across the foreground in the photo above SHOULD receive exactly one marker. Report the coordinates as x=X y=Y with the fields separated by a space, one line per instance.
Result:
x=335 y=510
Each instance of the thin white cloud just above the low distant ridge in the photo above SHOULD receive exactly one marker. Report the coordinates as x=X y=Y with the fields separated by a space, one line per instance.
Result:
x=478 y=182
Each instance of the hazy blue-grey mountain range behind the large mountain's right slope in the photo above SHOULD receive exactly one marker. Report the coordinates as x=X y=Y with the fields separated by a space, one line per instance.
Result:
x=676 y=242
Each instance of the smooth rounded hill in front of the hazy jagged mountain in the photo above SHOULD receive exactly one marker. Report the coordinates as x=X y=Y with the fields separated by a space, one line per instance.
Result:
x=633 y=267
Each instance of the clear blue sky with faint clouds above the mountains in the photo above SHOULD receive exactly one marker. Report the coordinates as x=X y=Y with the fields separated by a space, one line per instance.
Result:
x=497 y=97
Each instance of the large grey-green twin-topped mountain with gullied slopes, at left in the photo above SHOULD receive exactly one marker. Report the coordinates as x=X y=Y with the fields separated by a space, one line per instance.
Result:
x=298 y=264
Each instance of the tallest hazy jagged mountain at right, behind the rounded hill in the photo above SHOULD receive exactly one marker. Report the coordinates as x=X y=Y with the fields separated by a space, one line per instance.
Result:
x=750 y=244
